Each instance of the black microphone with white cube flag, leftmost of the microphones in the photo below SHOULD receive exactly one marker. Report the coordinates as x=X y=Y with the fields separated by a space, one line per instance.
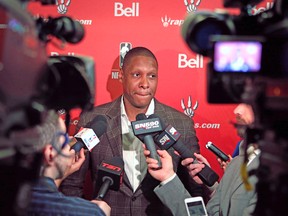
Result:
x=86 y=137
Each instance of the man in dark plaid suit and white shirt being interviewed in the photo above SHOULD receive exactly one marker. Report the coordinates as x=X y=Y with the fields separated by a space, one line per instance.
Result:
x=139 y=78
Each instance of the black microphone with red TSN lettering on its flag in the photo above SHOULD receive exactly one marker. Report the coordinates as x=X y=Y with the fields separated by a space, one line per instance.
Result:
x=109 y=176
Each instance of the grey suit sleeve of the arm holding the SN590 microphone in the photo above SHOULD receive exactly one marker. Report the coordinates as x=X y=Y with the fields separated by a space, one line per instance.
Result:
x=172 y=195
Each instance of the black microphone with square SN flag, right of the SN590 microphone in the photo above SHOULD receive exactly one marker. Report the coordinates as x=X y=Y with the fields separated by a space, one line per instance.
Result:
x=171 y=137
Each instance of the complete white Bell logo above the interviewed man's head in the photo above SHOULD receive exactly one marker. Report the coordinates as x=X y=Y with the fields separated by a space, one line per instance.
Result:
x=132 y=11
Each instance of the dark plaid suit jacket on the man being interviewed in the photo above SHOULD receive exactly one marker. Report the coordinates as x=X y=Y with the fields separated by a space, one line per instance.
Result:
x=126 y=202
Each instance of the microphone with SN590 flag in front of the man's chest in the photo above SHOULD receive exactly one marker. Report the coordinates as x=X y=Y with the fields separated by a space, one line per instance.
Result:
x=143 y=128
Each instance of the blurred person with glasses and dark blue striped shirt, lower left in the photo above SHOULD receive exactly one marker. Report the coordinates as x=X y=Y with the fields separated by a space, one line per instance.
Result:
x=58 y=162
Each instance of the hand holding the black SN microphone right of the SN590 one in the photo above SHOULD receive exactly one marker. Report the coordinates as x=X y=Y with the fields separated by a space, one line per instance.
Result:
x=194 y=169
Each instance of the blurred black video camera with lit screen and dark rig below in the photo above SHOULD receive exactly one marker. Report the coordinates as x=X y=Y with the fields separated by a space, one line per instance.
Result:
x=248 y=64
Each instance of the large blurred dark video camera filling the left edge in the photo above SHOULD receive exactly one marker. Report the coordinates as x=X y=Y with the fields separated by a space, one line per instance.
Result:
x=32 y=84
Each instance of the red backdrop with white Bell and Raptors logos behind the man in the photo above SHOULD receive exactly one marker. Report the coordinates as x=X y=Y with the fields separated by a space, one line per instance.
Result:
x=113 y=27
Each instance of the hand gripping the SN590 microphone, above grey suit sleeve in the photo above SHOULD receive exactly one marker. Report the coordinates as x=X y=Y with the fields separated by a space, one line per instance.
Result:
x=167 y=166
